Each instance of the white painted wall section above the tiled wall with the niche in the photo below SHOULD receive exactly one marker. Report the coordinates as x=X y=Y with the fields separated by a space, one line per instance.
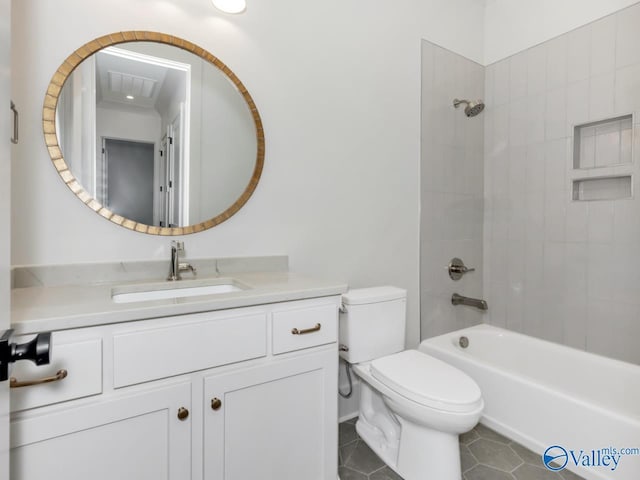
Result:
x=515 y=25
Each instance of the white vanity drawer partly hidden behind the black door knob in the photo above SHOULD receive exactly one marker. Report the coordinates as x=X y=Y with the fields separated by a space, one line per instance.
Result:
x=81 y=358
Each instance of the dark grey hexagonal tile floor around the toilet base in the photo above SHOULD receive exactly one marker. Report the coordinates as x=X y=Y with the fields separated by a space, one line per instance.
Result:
x=484 y=454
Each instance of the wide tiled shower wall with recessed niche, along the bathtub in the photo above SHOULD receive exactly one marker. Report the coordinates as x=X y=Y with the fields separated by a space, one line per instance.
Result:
x=555 y=268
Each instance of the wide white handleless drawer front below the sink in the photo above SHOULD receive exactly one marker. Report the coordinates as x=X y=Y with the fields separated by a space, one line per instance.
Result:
x=197 y=342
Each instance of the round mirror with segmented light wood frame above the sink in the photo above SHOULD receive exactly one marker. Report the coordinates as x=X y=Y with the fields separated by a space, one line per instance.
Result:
x=153 y=133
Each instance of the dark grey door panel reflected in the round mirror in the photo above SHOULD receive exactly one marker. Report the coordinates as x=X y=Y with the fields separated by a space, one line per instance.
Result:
x=127 y=181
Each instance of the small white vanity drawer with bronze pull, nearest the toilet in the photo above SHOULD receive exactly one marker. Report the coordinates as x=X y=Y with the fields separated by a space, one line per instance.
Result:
x=304 y=328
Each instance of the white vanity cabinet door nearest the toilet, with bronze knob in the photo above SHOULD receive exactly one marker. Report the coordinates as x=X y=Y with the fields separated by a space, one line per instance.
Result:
x=273 y=422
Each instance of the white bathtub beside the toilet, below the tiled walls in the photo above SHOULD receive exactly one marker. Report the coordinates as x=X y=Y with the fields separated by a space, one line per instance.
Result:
x=542 y=394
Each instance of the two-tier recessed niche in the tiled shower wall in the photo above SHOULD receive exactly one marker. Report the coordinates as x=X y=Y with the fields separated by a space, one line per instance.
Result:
x=604 y=147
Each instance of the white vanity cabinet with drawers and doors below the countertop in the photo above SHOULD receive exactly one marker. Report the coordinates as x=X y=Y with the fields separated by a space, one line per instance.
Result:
x=233 y=394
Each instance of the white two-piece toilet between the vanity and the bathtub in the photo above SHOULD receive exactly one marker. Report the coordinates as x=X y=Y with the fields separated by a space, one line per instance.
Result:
x=412 y=406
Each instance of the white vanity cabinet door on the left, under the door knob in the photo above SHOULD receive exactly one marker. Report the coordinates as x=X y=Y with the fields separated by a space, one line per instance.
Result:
x=133 y=437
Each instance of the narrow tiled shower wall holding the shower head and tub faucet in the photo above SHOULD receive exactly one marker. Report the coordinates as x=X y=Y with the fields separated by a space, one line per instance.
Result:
x=451 y=188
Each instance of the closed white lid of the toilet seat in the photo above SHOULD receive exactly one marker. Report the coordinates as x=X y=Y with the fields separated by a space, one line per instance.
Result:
x=428 y=381
